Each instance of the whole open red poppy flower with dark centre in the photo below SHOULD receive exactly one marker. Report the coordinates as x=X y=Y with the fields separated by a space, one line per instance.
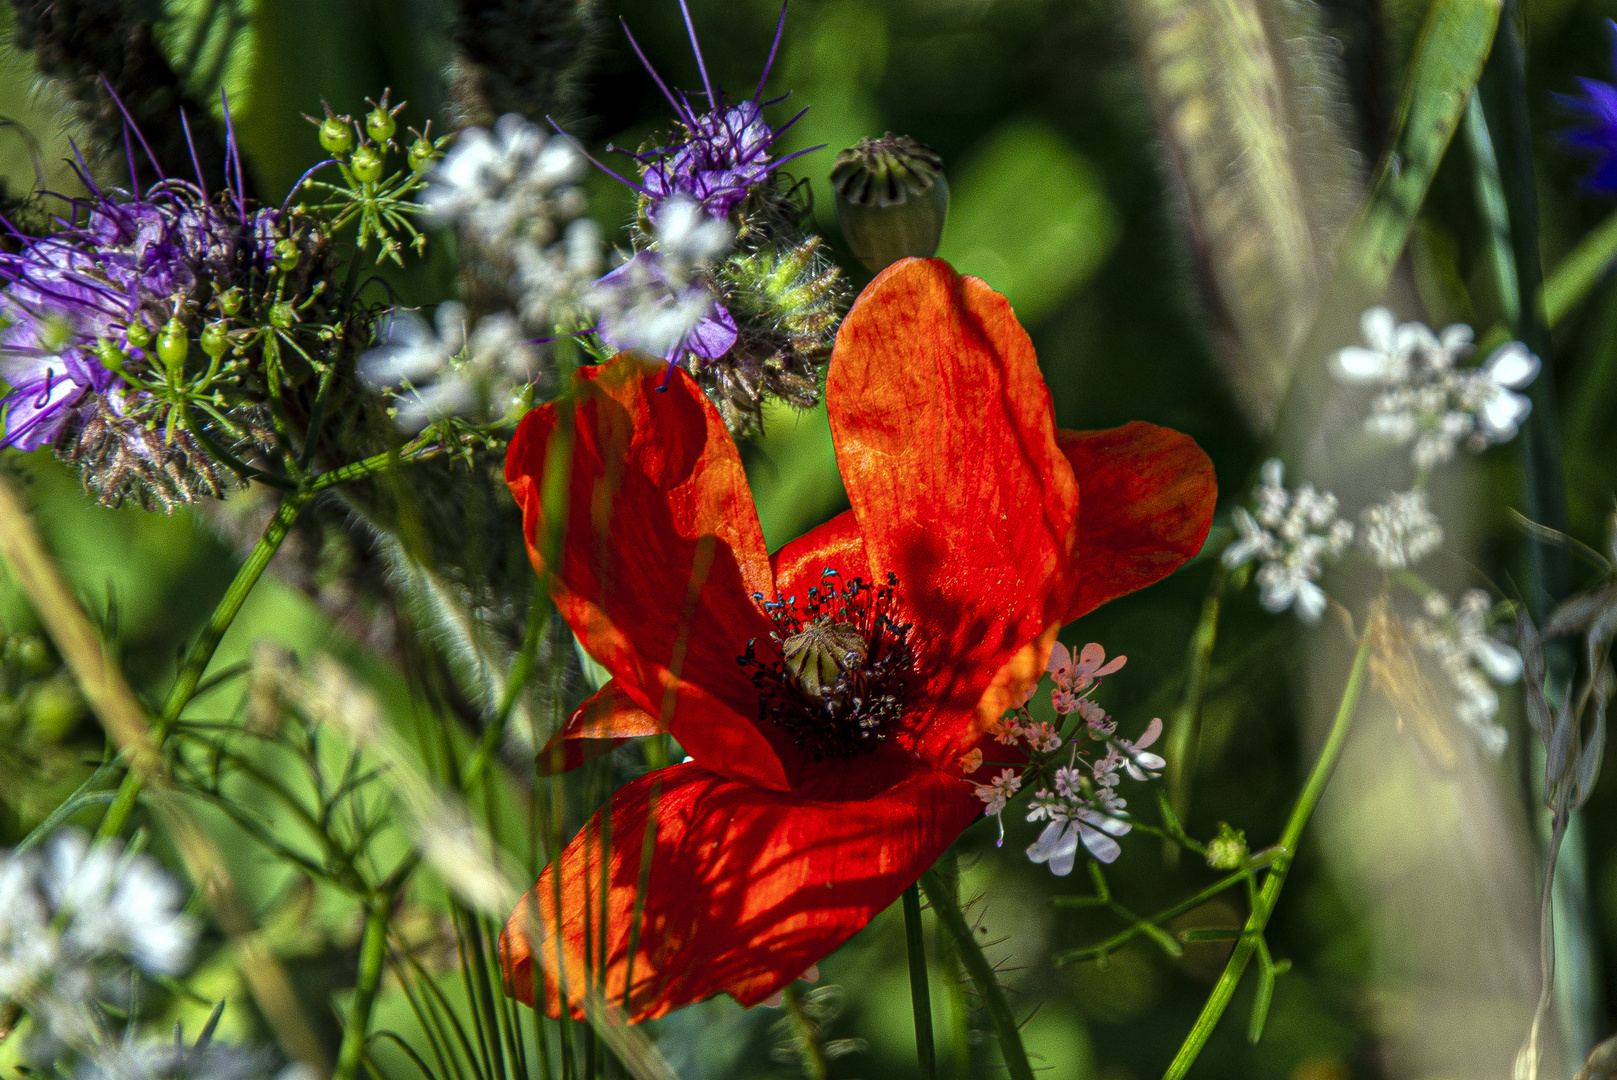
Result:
x=824 y=693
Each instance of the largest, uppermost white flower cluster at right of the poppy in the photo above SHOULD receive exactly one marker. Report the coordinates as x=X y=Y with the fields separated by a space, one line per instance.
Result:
x=1427 y=400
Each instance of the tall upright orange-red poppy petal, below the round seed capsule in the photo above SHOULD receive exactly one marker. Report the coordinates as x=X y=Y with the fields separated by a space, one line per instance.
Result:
x=947 y=442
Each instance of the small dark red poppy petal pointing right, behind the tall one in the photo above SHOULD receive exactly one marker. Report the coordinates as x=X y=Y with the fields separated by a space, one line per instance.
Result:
x=1149 y=497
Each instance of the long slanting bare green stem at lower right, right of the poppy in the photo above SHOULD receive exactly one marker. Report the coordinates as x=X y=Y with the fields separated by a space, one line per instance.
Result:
x=1252 y=934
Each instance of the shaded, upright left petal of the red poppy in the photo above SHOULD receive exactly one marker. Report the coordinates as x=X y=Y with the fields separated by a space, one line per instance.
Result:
x=662 y=554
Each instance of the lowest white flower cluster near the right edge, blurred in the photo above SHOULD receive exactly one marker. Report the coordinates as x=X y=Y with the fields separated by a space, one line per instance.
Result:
x=1459 y=641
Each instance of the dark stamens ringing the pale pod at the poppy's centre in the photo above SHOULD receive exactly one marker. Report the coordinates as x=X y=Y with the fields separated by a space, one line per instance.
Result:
x=838 y=681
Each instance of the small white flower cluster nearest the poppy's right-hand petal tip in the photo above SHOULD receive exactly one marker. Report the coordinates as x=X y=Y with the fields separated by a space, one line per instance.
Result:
x=1291 y=536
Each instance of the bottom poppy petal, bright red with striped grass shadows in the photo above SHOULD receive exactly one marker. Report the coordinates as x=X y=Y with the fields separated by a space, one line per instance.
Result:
x=748 y=888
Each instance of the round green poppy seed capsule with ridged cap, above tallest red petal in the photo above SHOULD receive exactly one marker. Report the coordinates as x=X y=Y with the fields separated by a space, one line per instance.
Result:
x=892 y=200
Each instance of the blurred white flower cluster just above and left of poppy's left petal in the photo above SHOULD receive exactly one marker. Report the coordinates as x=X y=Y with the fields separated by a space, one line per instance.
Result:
x=436 y=373
